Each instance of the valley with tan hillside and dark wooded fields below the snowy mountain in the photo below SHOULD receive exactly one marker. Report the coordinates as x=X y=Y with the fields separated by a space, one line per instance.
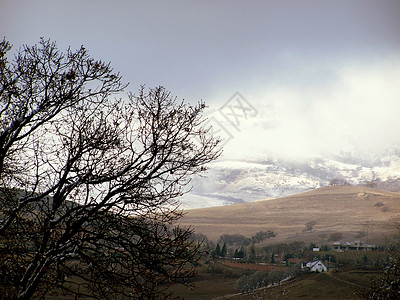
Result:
x=316 y=218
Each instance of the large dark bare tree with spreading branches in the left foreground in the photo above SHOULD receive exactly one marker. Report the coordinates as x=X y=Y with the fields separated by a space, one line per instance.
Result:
x=89 y=183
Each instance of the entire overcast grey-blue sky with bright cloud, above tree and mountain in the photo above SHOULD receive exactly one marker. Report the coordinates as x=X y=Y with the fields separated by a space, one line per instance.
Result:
x=313 y=76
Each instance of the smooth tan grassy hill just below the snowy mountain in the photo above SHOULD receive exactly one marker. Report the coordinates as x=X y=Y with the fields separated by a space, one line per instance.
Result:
x=358 y=213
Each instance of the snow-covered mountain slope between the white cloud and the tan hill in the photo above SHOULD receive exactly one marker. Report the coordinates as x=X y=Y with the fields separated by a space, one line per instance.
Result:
x=232 y=181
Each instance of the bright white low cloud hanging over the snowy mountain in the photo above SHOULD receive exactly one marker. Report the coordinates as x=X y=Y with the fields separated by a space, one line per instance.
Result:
x=356 y=111
